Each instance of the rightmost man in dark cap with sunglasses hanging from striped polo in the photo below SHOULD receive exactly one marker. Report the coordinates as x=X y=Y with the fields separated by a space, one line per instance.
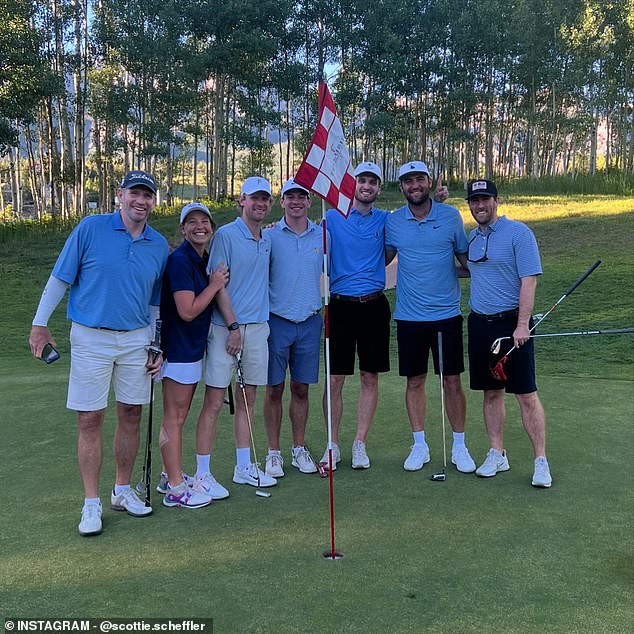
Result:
x=504 y=262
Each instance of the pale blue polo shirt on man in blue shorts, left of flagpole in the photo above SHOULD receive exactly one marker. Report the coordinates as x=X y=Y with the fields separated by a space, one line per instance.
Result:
x=296 y=265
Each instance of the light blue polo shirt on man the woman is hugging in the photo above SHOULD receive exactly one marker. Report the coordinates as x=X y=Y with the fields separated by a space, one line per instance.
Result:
x=248 y=262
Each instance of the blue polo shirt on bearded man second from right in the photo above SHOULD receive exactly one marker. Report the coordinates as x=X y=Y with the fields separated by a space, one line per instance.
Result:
x=427 y=287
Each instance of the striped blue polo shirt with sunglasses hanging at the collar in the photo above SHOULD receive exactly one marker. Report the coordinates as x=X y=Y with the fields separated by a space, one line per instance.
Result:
x=512 y=253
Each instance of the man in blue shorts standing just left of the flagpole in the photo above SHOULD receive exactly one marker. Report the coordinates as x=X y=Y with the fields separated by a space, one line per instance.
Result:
x=295 y=324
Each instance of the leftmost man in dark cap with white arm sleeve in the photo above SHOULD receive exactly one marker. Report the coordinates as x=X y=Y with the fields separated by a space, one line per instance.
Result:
x=113 y=264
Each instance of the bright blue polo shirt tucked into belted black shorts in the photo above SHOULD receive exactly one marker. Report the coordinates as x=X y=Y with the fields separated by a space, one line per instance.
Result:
x=357 y=253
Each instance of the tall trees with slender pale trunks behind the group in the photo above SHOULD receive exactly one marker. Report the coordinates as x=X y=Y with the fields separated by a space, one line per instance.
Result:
x=207 y=91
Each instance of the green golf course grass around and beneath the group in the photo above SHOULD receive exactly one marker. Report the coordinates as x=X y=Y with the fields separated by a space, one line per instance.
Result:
x=468 y=555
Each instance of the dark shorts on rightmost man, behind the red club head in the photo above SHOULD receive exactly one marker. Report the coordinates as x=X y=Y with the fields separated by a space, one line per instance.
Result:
x=519 y=367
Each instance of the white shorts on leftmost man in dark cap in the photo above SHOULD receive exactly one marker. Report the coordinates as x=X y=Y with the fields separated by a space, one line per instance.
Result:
x=99 y=357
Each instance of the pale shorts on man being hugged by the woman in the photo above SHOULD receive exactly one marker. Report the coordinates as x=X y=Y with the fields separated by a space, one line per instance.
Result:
x=255 y=355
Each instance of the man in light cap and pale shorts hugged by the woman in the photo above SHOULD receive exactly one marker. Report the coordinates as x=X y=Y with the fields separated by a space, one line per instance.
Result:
x=246 y=251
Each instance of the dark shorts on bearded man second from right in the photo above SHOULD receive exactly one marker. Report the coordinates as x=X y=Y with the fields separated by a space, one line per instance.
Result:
x=417 y=338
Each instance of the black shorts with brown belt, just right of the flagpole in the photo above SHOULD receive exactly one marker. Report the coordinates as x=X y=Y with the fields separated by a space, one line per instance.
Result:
x=361 y=328
